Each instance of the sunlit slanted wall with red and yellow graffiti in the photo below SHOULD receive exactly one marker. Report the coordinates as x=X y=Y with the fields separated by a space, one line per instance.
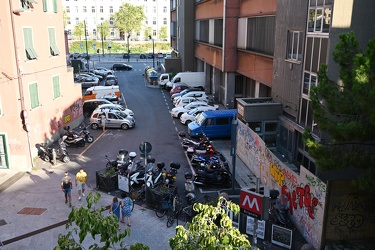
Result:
x=305 y=193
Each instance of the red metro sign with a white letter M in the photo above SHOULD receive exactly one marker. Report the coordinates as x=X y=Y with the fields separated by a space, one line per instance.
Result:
x=253 y=204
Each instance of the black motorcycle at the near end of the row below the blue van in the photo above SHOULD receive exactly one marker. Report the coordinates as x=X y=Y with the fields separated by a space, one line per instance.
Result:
x=213 y=175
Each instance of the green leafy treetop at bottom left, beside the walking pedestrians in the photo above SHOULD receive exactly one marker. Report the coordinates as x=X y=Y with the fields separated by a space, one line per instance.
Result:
x=91 y=221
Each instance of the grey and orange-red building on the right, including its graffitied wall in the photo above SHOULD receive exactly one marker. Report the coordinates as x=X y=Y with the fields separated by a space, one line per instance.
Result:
x=262 y=57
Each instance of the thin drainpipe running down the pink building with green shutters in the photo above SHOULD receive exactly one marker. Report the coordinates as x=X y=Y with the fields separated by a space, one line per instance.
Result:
x=19 y=78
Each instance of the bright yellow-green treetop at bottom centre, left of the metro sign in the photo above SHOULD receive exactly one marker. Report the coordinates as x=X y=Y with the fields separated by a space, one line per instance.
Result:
x=211 y=228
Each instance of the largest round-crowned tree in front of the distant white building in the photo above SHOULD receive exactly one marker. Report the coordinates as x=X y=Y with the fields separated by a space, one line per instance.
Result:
x=129 y=18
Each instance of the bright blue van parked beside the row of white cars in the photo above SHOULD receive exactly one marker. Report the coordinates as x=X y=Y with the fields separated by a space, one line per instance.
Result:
x=213 y=123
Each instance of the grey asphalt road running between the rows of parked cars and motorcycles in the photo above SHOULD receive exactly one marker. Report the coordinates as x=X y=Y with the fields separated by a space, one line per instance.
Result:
x=154 y=124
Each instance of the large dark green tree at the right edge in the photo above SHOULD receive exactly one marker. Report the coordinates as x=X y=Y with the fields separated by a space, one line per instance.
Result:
x=345 y=110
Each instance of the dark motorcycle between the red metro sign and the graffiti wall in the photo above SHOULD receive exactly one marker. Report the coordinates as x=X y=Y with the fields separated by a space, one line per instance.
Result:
x=278 y=211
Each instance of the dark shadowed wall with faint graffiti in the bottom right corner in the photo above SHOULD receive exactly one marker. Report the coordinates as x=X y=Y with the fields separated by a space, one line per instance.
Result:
x=350 y=214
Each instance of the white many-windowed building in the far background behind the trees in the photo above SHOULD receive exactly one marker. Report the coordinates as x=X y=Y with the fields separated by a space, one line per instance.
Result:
x=95 y=12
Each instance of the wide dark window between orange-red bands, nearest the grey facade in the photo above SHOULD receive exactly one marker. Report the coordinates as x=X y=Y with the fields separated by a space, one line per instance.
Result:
x=261 y=34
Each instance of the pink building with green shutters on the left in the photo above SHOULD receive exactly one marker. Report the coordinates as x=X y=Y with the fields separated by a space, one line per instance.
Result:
x=37 y=92
